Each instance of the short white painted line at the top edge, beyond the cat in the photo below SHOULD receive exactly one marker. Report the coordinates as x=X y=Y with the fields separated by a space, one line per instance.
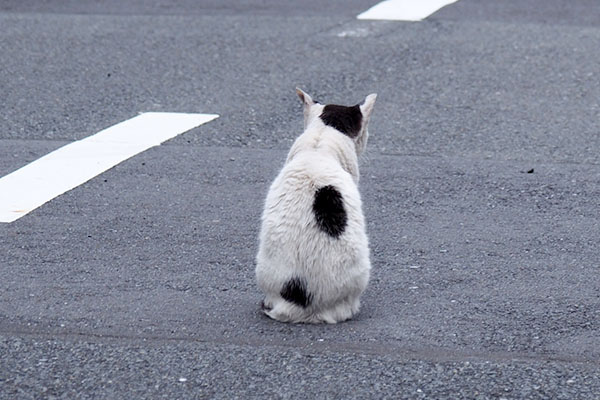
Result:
x=404 y=10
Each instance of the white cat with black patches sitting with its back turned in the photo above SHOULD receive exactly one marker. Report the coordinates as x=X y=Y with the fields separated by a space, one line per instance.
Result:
x=313 y=258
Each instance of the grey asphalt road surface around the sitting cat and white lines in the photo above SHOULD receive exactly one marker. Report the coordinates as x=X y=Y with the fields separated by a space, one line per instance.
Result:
x=480 y=188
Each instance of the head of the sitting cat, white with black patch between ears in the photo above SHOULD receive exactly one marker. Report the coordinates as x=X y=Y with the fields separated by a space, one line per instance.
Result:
x=352 y=121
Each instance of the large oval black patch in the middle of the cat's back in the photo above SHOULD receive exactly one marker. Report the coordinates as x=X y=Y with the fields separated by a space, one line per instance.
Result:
x=330 y=214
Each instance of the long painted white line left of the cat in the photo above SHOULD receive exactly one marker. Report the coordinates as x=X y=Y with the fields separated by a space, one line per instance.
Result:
x=68 y=167
